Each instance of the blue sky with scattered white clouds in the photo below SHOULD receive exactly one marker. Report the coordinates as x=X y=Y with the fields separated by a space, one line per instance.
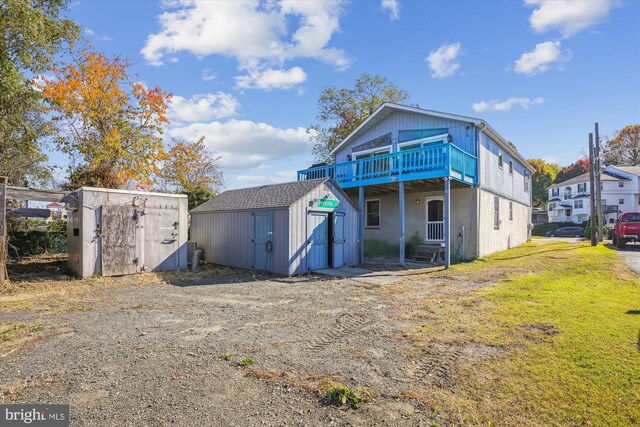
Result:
x=247 y=75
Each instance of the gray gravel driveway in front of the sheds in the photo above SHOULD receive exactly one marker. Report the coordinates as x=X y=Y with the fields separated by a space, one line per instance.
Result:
x=149 y=354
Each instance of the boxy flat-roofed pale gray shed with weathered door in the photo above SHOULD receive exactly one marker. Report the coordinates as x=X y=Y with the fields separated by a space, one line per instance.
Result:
x=116 y=232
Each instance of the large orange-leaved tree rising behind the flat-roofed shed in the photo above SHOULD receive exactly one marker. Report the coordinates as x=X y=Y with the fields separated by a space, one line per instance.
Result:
x=108 y=123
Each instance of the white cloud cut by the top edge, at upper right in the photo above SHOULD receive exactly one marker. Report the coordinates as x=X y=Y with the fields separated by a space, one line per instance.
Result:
x=568 y=16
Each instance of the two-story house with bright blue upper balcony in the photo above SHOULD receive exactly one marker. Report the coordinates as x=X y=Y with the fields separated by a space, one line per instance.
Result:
x=448 y=179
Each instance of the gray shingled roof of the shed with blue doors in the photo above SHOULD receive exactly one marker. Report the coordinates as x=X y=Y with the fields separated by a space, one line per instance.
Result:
x=263 y=197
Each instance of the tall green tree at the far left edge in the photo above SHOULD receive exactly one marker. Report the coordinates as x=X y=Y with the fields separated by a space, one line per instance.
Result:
x=32 y=33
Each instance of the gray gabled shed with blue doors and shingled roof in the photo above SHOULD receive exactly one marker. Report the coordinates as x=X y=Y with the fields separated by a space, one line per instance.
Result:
x=288 y=229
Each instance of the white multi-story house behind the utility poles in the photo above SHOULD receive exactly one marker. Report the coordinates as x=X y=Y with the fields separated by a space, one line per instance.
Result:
x=569 y=200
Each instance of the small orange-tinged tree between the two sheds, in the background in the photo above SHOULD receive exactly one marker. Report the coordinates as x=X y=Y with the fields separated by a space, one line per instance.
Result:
x=190 y=168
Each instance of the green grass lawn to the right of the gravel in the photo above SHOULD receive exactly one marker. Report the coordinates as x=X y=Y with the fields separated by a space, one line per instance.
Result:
x=568 y=318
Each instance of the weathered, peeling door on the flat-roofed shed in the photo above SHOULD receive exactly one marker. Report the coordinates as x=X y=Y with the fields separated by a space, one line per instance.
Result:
x=118 y=241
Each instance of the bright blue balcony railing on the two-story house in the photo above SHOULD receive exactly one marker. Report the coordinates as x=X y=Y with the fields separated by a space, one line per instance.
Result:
x=433 y=161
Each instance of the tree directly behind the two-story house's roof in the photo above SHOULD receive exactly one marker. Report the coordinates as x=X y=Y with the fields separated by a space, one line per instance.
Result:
x=342 y=110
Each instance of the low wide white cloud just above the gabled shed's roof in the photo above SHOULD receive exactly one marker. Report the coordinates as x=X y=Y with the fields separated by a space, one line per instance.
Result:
x=244 y=144
